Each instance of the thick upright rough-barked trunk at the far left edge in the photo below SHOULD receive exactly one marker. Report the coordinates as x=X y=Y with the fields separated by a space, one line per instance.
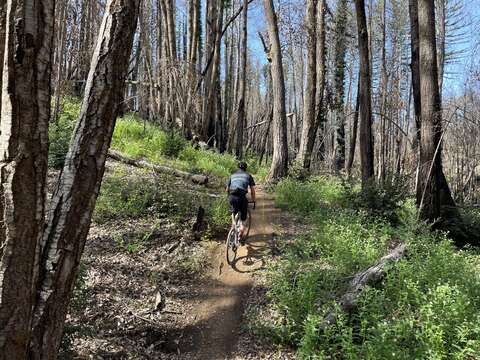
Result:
x=24 y=121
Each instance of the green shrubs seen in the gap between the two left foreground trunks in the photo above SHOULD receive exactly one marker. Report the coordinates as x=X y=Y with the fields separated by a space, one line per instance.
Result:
x=61 y=131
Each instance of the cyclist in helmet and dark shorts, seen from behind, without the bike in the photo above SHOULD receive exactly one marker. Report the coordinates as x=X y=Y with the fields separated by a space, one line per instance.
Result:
x=237 y=188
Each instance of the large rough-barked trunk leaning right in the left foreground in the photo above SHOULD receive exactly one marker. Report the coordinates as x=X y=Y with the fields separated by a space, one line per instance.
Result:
x=75 y=194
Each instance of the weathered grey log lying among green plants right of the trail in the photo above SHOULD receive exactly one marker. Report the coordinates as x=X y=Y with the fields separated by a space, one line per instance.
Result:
x=369 y=277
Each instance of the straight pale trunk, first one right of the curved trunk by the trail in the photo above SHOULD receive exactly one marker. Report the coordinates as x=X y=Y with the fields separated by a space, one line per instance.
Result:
x=304 y=157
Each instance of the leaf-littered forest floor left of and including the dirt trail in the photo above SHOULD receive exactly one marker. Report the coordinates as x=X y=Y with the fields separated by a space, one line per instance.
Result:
x=150 y=291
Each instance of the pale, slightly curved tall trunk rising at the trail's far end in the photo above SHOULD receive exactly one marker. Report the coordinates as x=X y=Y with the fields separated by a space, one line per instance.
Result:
x=279 y=166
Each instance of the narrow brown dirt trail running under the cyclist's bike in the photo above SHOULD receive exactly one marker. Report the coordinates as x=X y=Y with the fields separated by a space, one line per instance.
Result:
x=219 y=313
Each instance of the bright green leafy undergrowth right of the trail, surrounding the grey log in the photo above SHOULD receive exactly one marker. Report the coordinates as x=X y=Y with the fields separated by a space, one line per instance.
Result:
x=425 y=308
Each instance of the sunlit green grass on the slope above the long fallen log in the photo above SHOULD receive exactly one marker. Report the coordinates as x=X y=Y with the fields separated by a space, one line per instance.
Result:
x=137 y=138
